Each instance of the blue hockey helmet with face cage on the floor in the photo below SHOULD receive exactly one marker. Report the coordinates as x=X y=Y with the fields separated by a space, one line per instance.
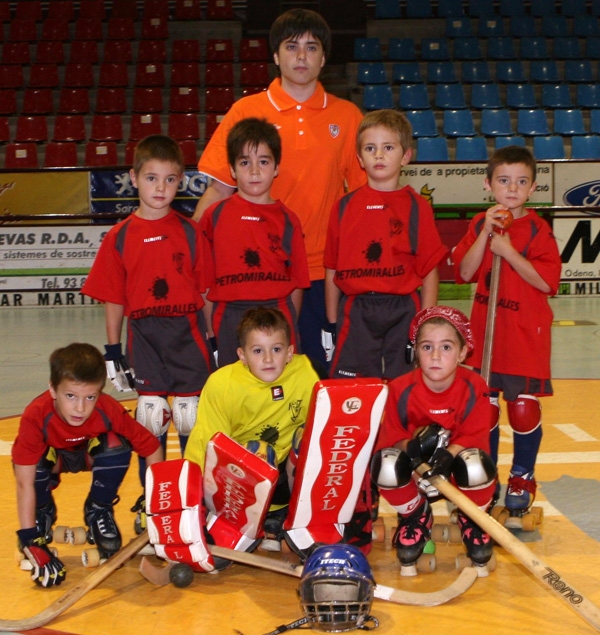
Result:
x=336 y=589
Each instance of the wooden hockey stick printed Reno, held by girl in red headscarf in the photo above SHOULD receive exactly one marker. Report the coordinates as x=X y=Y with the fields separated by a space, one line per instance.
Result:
x=551 y=579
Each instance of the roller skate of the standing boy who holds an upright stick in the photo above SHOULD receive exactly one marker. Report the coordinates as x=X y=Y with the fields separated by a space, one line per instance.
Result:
x=518 y=512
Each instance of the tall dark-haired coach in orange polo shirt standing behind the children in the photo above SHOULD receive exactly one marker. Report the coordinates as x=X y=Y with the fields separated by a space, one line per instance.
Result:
x=318 y=133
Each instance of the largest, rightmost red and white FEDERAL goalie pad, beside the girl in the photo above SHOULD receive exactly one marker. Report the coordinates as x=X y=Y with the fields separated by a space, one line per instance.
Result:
x=342 y=425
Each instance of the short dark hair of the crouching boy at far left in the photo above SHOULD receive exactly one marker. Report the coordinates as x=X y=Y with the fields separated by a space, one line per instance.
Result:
x=78 y=362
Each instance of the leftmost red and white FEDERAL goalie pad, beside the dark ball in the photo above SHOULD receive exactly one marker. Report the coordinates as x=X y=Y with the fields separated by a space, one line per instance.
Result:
x=175 y=514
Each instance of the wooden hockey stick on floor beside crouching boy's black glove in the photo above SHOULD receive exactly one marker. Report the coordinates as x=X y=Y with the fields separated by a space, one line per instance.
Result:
x=79 y=590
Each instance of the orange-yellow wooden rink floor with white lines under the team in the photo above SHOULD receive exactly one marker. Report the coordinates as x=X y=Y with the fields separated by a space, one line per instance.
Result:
x=248 y=601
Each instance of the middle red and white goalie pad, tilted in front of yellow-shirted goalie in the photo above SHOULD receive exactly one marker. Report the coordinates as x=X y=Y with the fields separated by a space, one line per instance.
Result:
x=238 y=486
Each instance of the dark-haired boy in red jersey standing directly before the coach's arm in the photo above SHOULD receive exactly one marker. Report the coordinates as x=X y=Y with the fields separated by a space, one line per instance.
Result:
x=255 y=244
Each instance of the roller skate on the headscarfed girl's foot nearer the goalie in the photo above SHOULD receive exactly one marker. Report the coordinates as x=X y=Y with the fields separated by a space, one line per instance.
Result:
x=413 y=543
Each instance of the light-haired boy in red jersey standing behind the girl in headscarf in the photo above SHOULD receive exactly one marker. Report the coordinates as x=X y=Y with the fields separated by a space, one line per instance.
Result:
x=382 y=247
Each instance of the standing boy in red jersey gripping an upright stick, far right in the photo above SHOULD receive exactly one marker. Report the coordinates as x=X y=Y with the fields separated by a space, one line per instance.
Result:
x=529 y=273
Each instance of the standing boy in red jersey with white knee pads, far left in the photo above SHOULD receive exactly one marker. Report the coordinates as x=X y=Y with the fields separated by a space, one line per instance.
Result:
x=149 y=268
